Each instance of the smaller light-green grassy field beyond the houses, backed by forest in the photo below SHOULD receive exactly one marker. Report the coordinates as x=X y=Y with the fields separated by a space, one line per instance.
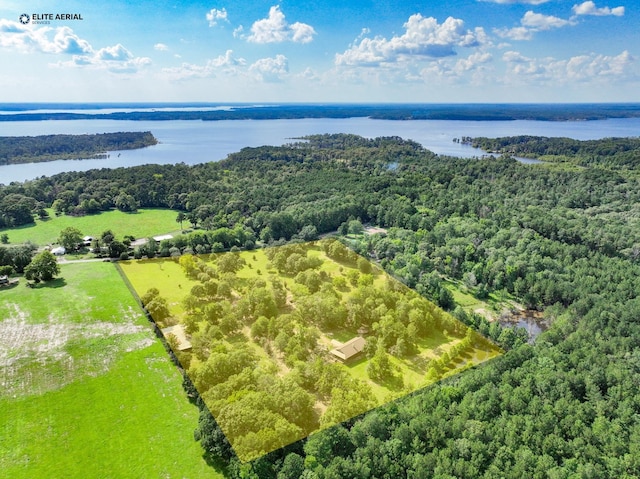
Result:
x=142 y=224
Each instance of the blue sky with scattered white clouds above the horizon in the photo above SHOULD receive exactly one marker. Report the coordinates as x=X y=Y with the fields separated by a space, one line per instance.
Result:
x=322 y=51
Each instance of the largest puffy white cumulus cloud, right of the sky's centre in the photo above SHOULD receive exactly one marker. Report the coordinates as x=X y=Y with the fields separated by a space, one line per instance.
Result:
x=423 y=37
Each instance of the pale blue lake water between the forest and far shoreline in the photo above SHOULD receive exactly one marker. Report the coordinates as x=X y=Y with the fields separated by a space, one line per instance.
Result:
x=198 y=141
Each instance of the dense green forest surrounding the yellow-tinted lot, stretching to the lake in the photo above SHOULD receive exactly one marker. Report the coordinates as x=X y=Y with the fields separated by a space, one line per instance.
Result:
x=563 y=241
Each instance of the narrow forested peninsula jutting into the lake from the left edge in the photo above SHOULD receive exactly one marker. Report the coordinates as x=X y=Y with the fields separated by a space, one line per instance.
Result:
x=34 y=149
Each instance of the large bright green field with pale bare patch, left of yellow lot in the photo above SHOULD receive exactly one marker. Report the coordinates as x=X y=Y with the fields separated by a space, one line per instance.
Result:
x=87 y=390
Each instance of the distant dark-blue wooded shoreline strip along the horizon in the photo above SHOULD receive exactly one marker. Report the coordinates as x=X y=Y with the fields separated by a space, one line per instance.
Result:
x=217 y=112
